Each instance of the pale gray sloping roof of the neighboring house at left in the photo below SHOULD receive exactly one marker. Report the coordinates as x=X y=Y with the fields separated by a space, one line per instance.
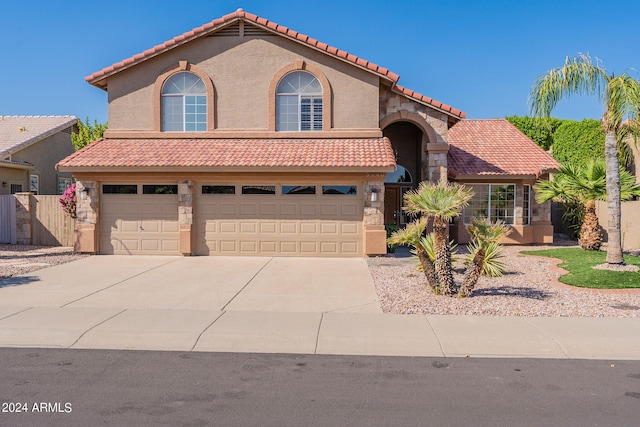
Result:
x=18 y=132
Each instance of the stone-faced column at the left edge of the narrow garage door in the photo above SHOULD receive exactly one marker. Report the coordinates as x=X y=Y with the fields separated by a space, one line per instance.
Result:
x=87 y=202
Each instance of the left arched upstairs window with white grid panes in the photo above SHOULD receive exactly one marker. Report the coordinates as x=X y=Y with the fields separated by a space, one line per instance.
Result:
x=184 y=104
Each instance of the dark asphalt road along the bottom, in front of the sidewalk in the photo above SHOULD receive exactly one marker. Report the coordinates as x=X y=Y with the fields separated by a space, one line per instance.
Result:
x=96 y=387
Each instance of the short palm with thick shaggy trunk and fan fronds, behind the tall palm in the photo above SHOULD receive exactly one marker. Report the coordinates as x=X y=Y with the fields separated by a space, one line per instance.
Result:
x=583 y=185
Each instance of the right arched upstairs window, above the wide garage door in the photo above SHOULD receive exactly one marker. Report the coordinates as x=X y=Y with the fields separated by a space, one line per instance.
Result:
x=299 y=103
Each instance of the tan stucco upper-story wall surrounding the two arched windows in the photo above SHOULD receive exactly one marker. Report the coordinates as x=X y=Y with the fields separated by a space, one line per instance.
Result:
x=241 y=70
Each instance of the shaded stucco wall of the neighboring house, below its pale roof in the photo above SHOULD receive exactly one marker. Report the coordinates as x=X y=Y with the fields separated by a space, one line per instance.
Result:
x=44 y=155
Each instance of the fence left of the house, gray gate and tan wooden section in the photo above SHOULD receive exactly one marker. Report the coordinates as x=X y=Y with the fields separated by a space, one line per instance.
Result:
x=46 y=223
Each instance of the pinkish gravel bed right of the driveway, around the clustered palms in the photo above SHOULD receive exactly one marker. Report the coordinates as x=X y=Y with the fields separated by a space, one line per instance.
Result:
x=530 y=288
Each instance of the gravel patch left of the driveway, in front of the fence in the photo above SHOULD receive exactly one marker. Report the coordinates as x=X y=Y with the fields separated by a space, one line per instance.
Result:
x=22 y=259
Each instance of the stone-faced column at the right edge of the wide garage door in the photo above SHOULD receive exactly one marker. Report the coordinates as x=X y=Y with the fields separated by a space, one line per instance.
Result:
x=375 y=239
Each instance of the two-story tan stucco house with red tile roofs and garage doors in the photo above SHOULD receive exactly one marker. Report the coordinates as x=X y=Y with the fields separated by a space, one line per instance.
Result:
x=244 y=137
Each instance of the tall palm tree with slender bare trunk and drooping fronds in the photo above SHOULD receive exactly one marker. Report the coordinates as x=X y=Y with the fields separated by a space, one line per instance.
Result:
x=621 y=100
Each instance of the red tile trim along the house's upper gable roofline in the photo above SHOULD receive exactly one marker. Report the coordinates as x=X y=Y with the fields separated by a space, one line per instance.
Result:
x=97 y=78
